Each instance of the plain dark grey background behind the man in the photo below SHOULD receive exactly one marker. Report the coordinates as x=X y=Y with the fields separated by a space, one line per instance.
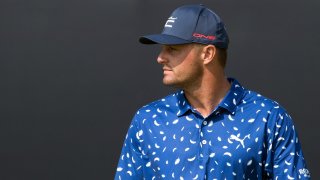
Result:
x=72 y=74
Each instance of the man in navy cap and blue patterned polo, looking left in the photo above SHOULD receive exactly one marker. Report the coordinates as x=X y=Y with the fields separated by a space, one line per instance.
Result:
x=212 y=128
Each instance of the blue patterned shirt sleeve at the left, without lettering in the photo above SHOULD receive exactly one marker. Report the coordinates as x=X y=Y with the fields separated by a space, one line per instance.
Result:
x=131 y=159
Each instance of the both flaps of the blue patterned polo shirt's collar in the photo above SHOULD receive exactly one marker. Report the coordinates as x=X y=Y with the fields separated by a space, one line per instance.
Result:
x=229 y=102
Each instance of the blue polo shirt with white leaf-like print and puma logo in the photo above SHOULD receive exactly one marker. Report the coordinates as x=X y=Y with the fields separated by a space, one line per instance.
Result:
x=247 y=136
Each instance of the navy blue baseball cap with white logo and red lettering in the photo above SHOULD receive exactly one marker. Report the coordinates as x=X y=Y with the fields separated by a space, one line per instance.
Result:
x=191 y=24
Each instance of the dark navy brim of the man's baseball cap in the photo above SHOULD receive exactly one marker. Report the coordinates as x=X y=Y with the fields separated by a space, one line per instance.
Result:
x=162 y=39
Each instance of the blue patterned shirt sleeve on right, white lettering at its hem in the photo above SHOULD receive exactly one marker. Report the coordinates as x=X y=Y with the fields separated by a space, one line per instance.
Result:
x=284 y=154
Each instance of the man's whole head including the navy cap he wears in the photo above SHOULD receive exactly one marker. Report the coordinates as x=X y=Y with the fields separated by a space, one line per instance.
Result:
x=194 y=38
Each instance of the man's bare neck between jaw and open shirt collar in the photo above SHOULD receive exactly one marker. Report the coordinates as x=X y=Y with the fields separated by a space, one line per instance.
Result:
x=208 y=94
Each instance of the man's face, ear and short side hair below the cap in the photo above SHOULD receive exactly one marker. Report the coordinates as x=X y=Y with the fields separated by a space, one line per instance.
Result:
x=185 y=65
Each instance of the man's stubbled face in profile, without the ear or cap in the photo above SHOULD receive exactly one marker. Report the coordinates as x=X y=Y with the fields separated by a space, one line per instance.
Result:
x=182 y=66
